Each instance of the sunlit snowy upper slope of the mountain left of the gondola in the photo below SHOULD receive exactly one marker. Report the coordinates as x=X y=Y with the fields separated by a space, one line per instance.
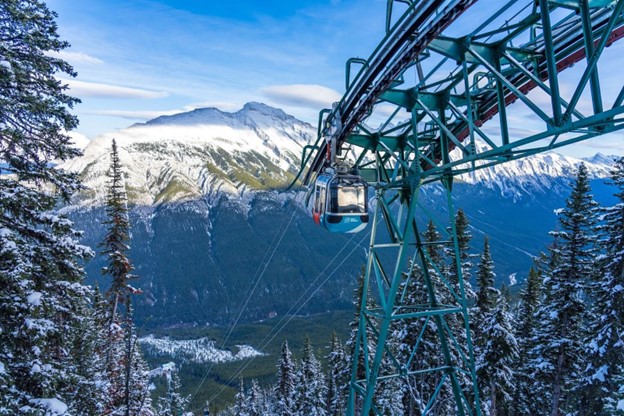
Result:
x=197 y=154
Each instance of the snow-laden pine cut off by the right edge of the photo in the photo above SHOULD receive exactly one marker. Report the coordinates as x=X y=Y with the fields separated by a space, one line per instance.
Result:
x=600 y=386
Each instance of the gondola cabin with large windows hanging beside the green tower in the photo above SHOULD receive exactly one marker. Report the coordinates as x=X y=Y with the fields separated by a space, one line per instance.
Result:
x=340 y=202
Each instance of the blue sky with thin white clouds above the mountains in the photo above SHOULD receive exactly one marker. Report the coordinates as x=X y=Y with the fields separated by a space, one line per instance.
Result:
x=138 y=59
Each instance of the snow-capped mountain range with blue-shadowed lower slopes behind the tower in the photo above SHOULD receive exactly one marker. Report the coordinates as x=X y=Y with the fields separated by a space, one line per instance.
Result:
x=208 y=223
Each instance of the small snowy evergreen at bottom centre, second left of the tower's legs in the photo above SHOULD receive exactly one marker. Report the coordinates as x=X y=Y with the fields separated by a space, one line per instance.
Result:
x=311 y=389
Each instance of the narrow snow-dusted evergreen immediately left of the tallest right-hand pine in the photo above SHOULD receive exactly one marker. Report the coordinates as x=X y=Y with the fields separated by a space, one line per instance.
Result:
x=530 y=301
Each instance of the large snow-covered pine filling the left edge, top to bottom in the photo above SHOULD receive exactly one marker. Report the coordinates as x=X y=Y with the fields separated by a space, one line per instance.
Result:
x=42 y=295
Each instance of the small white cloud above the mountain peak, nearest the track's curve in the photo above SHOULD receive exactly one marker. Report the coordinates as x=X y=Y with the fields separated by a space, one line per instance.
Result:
x=301 y=95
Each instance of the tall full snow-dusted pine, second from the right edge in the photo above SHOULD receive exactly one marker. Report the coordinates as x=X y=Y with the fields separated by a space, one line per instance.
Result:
x=558 y=354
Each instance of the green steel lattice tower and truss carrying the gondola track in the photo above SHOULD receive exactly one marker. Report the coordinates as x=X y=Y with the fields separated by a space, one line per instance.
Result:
x=449 y=98
